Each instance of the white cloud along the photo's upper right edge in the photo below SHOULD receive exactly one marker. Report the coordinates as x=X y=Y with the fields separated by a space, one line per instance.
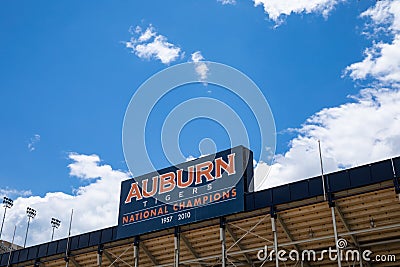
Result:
x=382 y=60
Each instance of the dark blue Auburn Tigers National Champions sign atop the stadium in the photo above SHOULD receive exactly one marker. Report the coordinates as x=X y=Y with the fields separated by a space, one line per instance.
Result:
x=204 y=188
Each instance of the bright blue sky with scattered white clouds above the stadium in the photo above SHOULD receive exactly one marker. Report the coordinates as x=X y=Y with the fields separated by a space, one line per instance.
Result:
x=328 y=69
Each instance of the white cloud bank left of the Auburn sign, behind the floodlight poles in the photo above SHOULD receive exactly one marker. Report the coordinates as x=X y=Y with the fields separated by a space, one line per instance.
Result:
x=95 y=205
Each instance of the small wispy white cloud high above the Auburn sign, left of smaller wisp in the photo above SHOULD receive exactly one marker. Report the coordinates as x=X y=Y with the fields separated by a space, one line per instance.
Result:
x=149 y=44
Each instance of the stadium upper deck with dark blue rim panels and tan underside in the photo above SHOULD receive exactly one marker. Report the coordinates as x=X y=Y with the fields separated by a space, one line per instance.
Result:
x=293 y=218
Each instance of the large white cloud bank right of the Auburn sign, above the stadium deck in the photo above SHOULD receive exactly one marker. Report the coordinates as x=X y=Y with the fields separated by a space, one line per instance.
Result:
x=352 y=134
